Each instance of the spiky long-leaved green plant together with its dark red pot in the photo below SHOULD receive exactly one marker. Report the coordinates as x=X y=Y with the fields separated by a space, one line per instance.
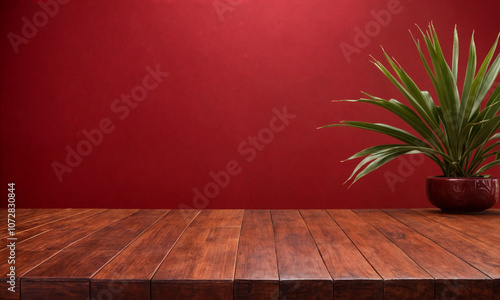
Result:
x=457 y=131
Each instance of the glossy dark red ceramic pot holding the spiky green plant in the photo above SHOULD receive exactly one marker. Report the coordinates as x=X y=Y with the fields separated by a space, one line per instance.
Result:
x=462 y=195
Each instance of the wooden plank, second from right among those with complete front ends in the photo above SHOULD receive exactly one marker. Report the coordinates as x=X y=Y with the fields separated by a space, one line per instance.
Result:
x=403 y=278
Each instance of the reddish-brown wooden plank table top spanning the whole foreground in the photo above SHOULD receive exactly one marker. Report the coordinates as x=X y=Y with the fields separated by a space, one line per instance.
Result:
x=251 y=254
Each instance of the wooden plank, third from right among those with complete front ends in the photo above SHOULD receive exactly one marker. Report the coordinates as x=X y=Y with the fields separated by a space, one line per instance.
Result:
x=353 y=277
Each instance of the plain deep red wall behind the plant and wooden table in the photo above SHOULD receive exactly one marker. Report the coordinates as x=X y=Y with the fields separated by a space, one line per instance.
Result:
x=210 y=104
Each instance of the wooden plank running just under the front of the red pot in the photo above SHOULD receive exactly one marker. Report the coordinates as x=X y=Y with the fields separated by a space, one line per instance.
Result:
x=473 y=225
